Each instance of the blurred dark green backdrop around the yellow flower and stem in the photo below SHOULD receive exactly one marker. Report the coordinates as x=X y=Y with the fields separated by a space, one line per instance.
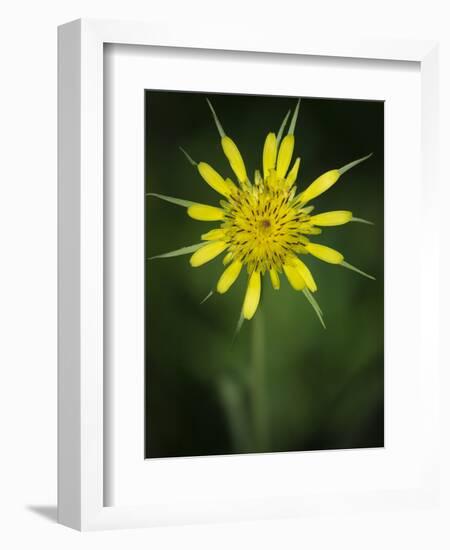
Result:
x=325 y=388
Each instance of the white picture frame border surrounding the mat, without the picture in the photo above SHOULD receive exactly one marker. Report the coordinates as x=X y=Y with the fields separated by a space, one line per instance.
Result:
x=81 y=406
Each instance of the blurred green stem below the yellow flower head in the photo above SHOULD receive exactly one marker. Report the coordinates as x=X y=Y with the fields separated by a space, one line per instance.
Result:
x=257 y=387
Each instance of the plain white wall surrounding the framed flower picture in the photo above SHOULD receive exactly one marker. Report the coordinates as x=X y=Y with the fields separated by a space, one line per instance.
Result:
x=28 y=269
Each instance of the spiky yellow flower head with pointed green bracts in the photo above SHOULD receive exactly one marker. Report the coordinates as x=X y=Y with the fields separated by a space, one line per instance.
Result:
x=264 y=226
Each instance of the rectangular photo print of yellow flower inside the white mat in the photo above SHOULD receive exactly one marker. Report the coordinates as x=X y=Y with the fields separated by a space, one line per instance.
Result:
x=264 y=247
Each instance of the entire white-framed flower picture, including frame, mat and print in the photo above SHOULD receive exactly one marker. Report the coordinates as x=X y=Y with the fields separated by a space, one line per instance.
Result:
x=248 y=298
